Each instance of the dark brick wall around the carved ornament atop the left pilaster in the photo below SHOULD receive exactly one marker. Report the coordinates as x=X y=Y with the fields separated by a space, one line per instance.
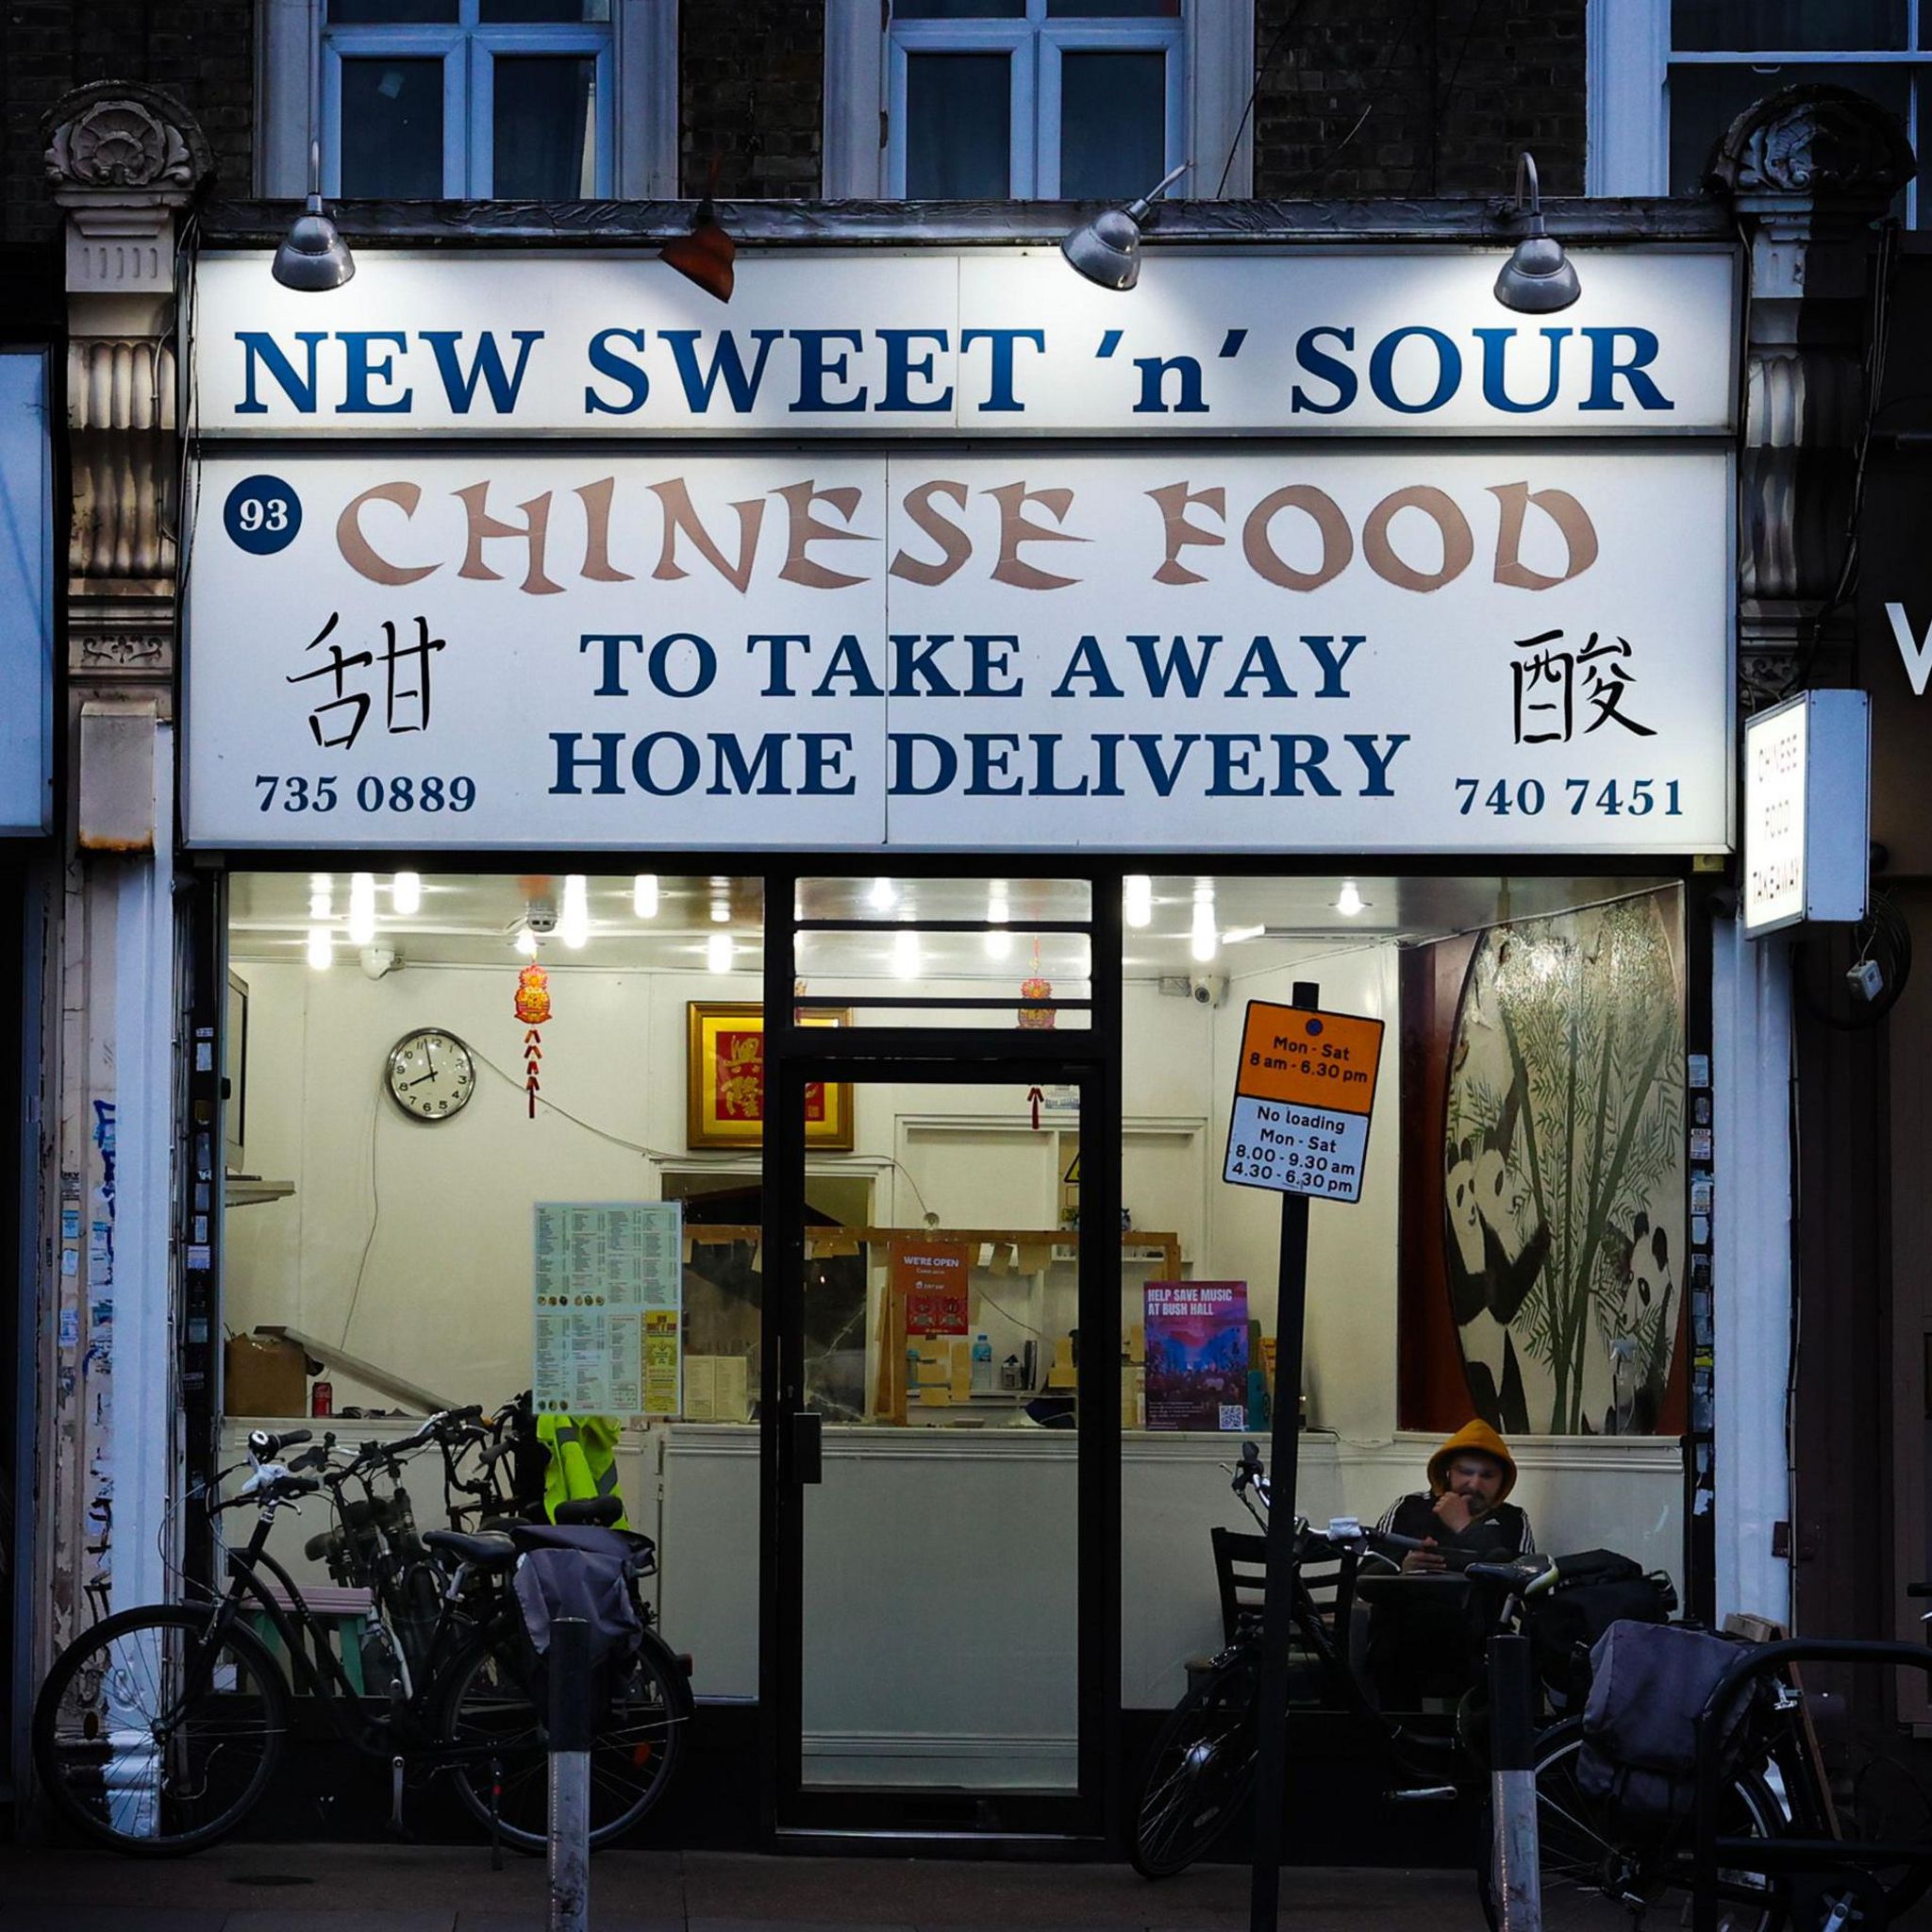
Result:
x=200 y=51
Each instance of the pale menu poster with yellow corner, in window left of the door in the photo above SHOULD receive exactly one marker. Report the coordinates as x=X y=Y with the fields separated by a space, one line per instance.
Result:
x=610 y=1301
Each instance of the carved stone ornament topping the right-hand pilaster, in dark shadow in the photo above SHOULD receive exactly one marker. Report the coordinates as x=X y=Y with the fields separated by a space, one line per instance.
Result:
x=1815 y=142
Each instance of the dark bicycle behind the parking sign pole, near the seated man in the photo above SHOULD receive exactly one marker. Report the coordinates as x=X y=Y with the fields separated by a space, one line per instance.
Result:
x=1201 y=1771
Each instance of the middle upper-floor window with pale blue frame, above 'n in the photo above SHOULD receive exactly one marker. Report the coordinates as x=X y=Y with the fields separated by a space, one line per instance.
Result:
x=1009 y=99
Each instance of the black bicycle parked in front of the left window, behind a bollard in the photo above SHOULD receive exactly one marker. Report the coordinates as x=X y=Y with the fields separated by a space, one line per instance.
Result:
x=161 y=1728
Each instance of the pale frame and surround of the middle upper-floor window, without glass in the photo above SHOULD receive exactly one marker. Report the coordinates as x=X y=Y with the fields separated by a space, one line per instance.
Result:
x=1210 y=76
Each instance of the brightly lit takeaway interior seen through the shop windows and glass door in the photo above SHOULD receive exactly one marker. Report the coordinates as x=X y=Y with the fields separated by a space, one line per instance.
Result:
x=395 y=1243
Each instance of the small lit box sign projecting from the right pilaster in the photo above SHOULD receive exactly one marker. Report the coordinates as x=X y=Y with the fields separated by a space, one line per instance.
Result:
x=1807 y=810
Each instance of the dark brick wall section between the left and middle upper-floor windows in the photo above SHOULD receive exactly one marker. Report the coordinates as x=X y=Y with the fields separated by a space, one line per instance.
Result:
x=753 y=92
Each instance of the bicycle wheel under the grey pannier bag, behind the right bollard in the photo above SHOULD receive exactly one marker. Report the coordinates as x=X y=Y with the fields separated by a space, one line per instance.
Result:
x=1599 y=1879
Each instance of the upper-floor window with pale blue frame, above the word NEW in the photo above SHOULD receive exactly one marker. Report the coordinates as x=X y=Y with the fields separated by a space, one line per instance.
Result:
x=469 y=99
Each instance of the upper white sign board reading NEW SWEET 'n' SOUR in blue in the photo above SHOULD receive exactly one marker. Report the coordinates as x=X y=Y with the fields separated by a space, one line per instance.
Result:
x=992 y=343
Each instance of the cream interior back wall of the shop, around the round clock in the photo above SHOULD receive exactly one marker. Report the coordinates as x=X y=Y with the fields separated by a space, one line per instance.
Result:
x=436 y=1218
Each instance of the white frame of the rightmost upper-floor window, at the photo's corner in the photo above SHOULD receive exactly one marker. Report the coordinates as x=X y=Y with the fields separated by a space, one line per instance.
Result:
x=1630 y=90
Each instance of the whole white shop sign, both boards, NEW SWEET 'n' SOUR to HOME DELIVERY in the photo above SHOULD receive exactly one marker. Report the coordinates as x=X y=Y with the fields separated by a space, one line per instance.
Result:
x=1467 y=646
